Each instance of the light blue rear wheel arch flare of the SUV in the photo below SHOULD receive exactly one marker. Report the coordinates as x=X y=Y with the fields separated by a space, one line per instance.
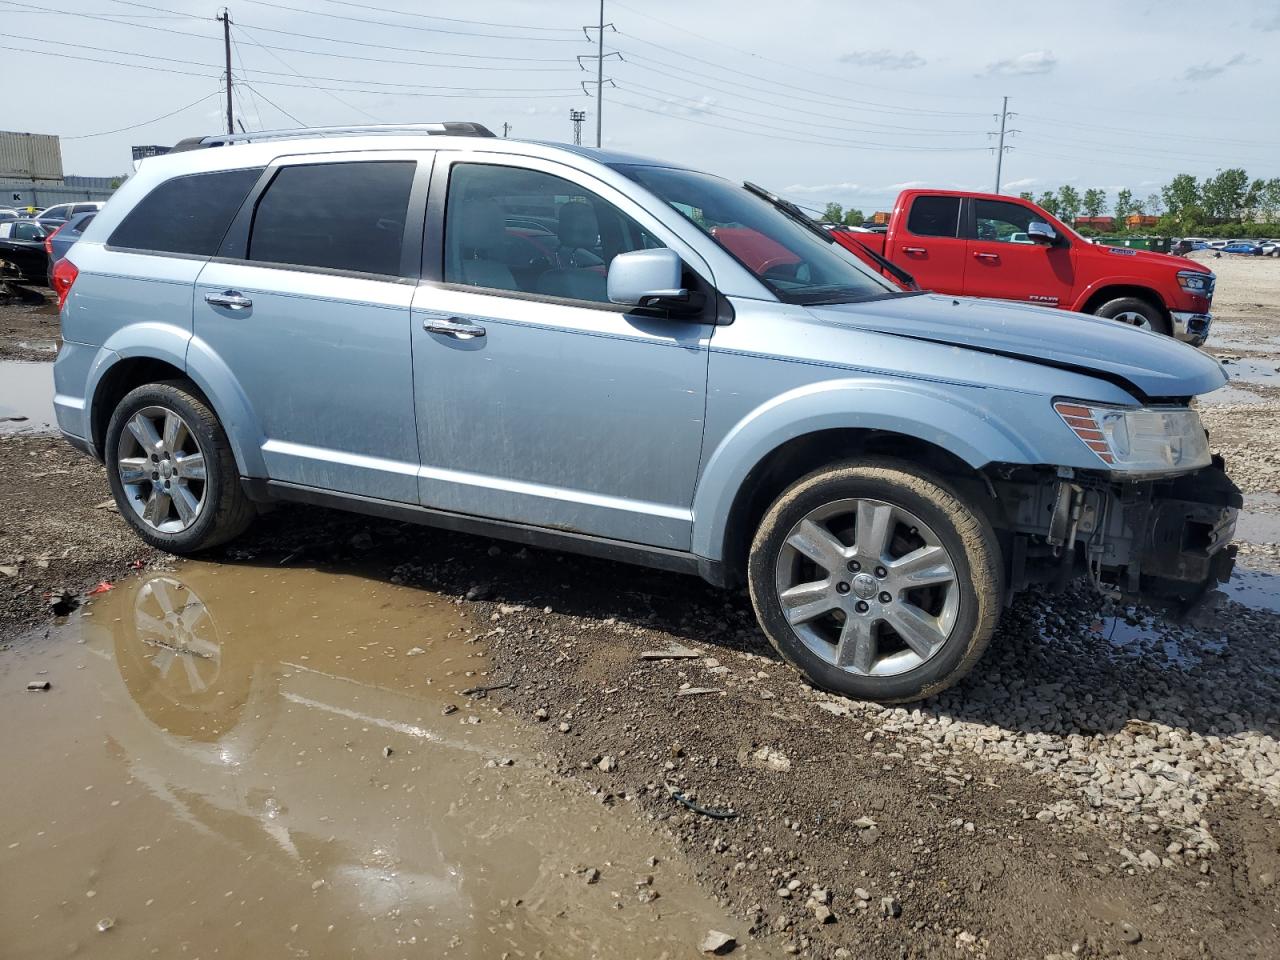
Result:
x=177 y=348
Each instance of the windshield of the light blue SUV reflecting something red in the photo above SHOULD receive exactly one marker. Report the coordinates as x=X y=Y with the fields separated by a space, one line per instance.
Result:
x=796 y=263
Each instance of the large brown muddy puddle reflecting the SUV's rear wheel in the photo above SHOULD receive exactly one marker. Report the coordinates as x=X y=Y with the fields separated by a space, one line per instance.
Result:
x=253 y=762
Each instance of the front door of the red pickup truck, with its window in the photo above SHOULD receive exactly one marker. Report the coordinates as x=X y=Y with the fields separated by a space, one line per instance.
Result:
x=1005 y=268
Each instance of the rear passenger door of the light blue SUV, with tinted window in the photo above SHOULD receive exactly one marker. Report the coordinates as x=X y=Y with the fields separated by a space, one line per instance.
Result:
x=308 y=307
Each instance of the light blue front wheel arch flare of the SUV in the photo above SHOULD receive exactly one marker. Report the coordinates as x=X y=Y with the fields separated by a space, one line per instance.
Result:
x=944 y=418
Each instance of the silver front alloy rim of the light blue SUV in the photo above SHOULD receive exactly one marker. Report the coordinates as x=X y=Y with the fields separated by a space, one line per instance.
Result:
x=868 y=587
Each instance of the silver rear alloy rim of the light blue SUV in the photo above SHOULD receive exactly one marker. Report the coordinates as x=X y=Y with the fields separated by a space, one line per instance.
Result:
x=162 y=469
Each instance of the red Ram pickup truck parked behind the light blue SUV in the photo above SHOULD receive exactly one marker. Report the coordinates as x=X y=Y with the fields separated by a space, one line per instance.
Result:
x=985 y=245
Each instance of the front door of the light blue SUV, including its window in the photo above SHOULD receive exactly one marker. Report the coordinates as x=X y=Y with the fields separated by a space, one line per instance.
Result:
x=538 y=401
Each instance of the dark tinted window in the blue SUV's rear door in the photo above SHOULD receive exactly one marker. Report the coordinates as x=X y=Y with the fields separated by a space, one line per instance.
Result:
x=344 y=217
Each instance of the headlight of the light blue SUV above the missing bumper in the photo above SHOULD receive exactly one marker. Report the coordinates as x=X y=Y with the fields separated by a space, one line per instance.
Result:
x=1140 y=440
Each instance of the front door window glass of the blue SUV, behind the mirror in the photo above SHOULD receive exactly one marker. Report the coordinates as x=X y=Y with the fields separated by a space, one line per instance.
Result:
x=514 y=230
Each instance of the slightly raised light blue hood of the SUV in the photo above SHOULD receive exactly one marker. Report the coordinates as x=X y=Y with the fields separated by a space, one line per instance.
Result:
x=1149 y=364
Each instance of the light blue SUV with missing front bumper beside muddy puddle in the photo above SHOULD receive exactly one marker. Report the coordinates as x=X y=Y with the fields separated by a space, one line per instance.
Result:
x=598 y=353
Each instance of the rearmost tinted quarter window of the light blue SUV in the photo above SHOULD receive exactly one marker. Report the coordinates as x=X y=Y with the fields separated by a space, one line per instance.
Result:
x=186 y=214
